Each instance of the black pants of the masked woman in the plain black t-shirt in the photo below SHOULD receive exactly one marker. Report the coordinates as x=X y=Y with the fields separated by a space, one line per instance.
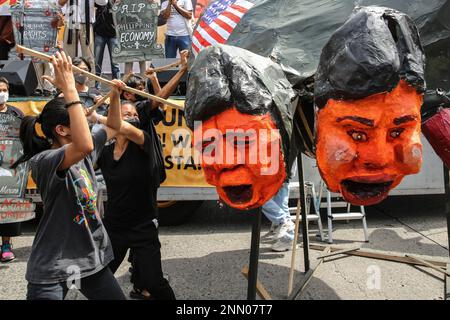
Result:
x=146 y=260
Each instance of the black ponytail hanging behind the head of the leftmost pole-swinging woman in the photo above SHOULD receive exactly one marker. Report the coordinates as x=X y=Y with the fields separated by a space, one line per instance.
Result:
x=31 y=142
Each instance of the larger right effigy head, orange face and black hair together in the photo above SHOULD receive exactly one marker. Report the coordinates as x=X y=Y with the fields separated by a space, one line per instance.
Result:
x=368 y=93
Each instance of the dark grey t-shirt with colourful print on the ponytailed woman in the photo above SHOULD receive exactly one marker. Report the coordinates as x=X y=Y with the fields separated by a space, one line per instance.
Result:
x=71 y=233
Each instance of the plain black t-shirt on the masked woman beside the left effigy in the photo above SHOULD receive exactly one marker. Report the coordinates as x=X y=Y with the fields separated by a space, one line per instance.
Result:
x=131 y=185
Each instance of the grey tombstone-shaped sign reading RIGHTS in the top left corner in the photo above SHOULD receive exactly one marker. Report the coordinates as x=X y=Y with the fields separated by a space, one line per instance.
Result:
x=36 y=25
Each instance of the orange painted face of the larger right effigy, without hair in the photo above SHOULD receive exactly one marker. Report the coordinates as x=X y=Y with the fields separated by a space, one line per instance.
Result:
x=365 y=147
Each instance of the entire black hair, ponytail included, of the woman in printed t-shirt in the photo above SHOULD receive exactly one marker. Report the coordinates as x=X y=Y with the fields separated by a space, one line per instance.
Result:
x=53 y=114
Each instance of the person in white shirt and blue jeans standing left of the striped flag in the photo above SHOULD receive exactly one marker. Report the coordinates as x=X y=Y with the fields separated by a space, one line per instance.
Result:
x=178 y=34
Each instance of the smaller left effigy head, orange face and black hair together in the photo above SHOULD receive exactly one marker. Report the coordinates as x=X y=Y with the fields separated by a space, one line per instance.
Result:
x=239 y=106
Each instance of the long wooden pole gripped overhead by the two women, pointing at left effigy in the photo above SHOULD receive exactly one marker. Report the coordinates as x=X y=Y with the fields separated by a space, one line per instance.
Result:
x=92 y=76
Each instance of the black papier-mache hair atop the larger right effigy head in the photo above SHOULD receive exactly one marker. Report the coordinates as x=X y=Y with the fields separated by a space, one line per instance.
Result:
x=370 y=54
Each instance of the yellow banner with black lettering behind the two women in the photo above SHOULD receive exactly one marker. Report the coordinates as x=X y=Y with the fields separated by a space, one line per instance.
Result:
x=182 y=167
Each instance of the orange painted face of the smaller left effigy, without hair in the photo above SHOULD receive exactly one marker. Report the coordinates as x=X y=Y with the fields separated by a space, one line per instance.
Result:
x=241 y=155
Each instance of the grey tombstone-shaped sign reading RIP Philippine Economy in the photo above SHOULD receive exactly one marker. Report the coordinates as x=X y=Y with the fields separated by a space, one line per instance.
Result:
x=136 y=29
